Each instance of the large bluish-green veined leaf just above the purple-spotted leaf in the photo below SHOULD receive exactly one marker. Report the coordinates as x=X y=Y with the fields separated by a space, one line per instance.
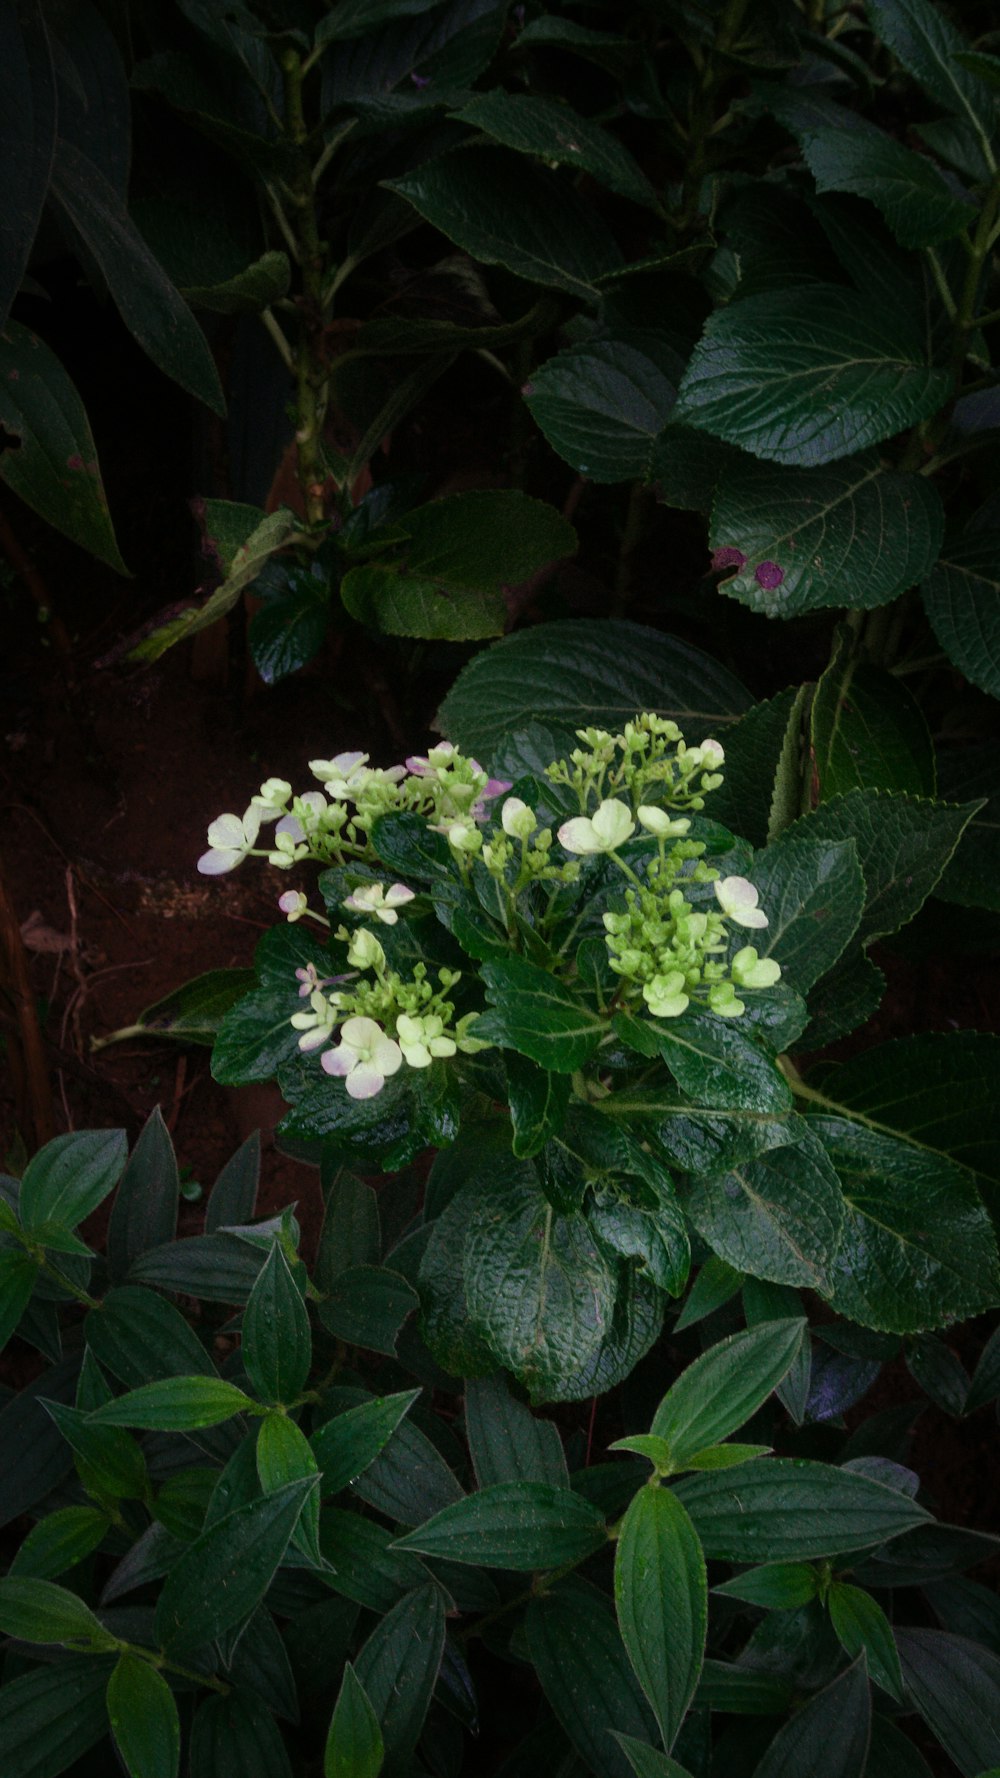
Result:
x=809 y=376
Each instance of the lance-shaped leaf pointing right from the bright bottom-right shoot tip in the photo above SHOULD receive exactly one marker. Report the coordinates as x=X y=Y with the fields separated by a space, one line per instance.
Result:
x=793 y=1510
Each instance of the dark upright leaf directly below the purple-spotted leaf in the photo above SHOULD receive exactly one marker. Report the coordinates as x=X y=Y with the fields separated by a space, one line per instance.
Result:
x=867 y=732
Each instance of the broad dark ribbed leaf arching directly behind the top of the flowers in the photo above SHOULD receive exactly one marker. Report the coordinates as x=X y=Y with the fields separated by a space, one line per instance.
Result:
x=588 y=671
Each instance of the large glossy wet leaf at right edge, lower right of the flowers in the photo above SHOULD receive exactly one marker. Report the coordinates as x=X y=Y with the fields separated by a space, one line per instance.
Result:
x=919 y=1247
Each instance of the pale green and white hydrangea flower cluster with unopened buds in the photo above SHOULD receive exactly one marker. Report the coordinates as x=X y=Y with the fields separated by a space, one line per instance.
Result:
x=666 y=950
